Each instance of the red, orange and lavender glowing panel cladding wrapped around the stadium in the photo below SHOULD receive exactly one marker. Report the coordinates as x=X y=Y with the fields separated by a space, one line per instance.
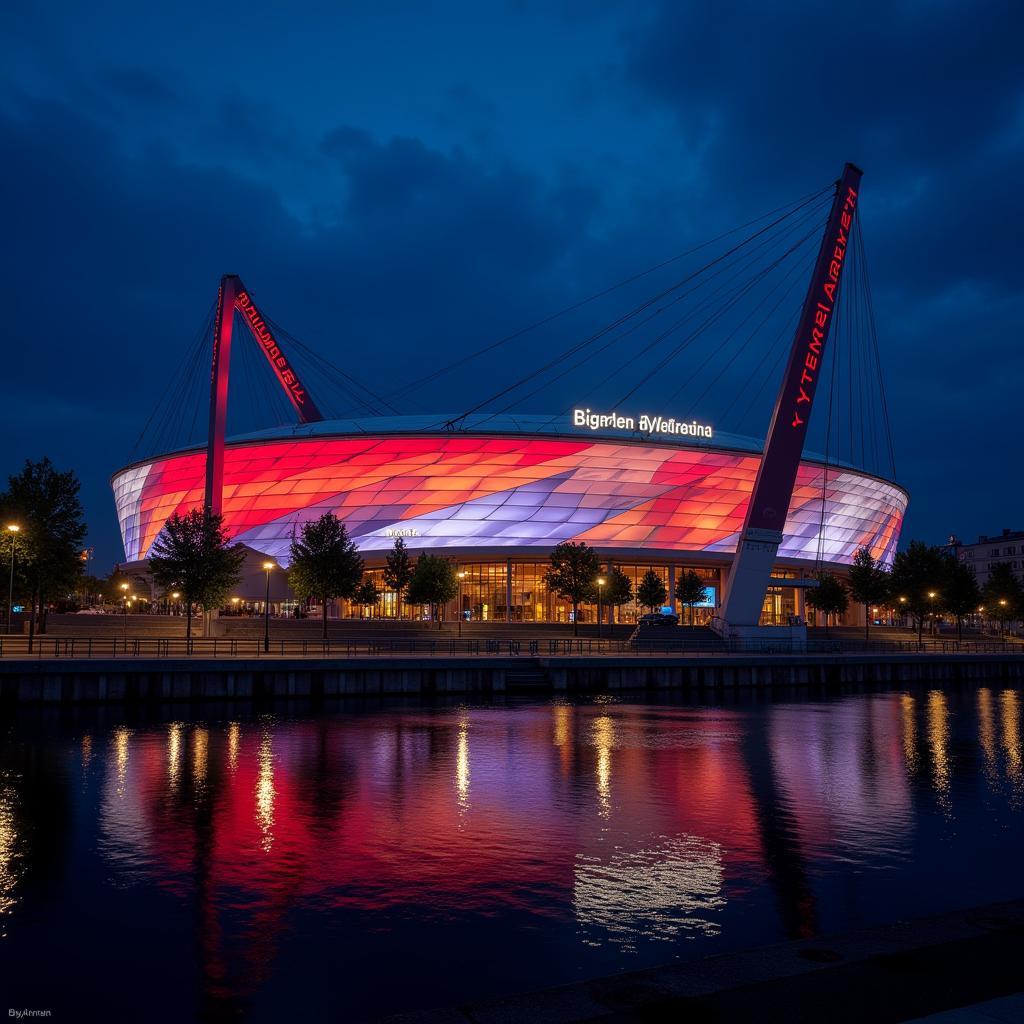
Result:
x=486 y=494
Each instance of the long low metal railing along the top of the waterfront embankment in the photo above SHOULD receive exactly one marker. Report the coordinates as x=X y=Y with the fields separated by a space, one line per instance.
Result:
x=252 y=648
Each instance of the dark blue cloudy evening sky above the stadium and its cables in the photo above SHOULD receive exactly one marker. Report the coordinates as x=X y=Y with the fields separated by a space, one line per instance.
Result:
x=401 y=183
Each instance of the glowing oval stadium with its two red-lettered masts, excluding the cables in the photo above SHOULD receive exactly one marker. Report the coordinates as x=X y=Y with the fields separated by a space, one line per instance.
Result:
x=497 y=494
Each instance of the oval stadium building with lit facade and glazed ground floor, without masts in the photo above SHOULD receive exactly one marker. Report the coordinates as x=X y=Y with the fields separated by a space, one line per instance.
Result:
x=499 y=494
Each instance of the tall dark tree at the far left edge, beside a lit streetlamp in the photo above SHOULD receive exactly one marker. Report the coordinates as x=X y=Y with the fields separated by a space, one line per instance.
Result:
x=45 y=503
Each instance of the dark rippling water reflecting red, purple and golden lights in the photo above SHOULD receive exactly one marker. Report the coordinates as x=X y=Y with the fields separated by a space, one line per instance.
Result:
x=361 y=861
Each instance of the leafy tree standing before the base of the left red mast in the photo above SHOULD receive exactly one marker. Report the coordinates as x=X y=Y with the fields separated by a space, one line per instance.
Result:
x=192 y=556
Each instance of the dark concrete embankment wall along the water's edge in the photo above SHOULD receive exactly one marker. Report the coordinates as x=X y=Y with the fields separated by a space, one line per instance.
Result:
x=266 y=678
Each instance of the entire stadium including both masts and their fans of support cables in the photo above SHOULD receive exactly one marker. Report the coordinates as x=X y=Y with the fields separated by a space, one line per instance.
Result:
x=495 y=492
